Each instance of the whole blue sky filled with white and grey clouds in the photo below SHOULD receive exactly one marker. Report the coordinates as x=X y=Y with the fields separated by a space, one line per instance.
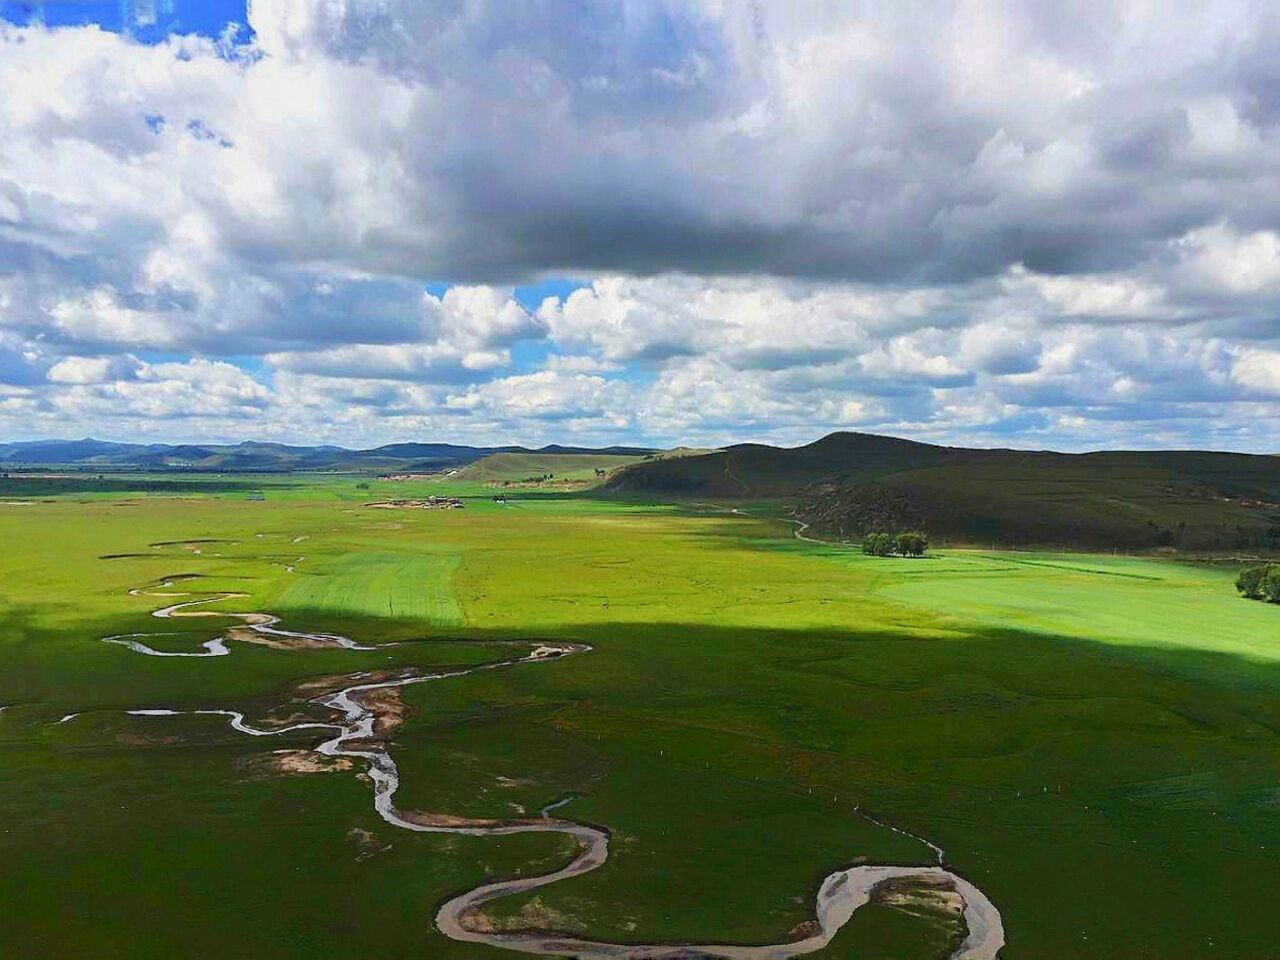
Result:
x=668 y=222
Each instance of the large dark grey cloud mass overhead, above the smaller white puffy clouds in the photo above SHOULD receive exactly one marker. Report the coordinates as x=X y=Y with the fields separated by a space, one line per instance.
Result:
x=861 y=144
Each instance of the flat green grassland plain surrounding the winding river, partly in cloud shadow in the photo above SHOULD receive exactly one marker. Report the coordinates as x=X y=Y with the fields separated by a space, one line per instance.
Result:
x=1094 y=740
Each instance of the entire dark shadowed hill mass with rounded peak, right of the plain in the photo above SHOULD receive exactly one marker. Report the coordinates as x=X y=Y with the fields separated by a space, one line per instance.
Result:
x=849 y=484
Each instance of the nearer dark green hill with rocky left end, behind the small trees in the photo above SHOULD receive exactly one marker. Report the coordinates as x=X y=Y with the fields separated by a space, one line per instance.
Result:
x=1131 y=501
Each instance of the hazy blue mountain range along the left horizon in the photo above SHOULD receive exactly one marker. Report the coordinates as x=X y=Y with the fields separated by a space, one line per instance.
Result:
x=254 y=456
